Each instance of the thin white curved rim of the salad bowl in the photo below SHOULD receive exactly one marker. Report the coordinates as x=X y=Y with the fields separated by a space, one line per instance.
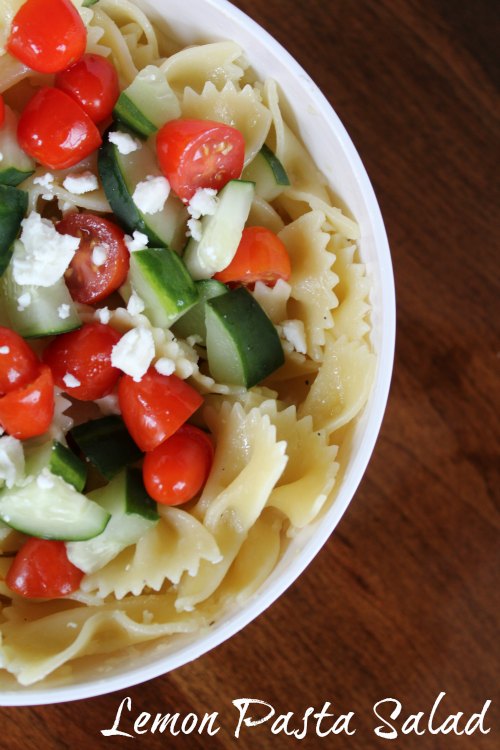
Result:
x=249 y=611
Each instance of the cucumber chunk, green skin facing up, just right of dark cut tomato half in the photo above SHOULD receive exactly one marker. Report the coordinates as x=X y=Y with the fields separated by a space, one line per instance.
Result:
x=162 y=281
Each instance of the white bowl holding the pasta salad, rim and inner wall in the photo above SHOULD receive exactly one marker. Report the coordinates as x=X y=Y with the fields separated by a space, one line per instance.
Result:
x=331 y=148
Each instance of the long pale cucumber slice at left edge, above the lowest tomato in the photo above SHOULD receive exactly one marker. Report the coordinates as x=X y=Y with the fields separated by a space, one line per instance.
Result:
x=49 y=508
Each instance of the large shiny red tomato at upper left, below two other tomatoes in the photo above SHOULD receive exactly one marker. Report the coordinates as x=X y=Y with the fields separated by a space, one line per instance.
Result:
x=56 y=131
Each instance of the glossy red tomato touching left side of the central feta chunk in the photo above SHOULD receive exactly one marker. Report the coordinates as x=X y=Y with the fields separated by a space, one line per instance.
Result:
x=84 y=354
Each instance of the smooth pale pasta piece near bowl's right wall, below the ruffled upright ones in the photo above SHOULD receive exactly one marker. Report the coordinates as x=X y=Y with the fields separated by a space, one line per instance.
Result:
x=342 y=385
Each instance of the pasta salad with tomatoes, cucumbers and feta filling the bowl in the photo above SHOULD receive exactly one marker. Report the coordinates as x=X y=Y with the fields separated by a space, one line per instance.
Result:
x=183 y=334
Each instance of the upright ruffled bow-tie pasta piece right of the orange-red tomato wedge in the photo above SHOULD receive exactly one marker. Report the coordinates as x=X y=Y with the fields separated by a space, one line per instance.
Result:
x=312 y=297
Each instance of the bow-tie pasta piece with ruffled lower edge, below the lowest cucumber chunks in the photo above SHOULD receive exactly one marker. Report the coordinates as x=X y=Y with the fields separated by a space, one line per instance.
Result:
x=177 y=544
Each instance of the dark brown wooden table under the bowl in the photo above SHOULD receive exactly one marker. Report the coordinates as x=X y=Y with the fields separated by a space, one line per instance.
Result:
x=403 y=601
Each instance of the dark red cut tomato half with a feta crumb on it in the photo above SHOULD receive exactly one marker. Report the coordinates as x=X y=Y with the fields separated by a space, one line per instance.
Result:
x=86 y=281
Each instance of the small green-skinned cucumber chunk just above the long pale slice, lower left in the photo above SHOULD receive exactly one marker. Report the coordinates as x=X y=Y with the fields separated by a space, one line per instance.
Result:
x=59 y=460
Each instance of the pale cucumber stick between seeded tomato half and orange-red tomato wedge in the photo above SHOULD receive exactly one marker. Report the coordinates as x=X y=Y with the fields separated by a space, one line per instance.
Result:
x=220 y=232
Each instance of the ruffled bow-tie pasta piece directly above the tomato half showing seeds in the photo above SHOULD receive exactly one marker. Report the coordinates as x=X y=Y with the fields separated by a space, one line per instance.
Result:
x=240 y=108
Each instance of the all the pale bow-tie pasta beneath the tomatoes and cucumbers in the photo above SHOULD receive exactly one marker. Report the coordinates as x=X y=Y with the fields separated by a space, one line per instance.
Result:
x=275 y=464
